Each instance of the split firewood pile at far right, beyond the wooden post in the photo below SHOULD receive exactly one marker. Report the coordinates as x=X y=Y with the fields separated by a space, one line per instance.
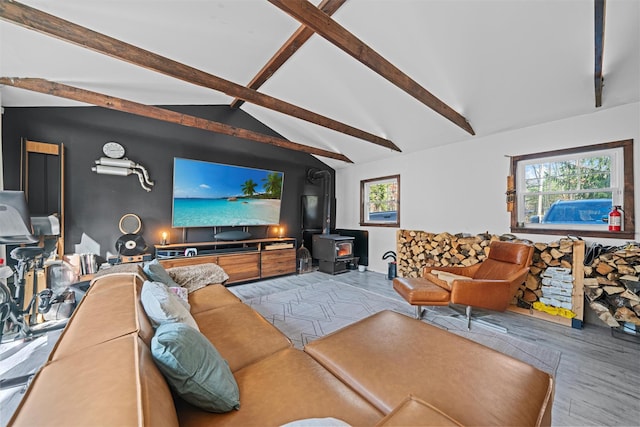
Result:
x=612 y=285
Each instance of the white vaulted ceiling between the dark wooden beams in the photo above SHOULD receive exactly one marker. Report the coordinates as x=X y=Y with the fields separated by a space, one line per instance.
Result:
x=501 y=64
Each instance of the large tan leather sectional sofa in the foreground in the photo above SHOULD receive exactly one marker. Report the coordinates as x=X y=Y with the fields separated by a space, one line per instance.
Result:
x=387 y=370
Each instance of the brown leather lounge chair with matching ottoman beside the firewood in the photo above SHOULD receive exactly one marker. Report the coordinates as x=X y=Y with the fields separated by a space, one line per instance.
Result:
x=491 y=284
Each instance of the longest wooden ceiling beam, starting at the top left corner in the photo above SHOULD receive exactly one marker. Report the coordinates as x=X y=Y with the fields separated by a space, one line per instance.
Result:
x=51 y=25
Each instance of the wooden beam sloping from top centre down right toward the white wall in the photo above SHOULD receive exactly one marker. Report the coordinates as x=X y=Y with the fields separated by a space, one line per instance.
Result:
x=322 y=24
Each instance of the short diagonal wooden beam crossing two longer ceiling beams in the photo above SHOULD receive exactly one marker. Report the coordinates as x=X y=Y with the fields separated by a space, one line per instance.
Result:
x=287 y=50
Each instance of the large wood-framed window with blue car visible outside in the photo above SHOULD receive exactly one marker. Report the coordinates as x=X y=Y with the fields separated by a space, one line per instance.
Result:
x=572 y=191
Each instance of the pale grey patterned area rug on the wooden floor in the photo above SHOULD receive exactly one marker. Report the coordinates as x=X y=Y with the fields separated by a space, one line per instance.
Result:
x=312 y=311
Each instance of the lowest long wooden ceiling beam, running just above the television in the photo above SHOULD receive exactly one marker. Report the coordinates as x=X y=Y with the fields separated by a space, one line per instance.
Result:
x=119 y=104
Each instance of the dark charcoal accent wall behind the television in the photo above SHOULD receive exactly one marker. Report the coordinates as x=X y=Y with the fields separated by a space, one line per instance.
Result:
x=95 y=203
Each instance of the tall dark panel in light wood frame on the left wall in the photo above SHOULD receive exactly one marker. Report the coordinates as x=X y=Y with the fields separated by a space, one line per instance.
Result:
x=42 y=180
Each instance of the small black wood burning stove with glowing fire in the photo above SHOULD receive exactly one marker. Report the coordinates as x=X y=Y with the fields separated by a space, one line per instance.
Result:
x=334 y=252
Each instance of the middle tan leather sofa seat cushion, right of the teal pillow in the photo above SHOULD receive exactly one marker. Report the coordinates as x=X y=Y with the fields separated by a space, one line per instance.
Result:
x=240 y=334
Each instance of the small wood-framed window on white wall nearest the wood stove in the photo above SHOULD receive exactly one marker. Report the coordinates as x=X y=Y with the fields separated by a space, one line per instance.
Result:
x=380 y=201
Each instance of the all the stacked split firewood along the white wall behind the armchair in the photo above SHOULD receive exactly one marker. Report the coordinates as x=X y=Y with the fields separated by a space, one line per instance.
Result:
x=611 y=279
